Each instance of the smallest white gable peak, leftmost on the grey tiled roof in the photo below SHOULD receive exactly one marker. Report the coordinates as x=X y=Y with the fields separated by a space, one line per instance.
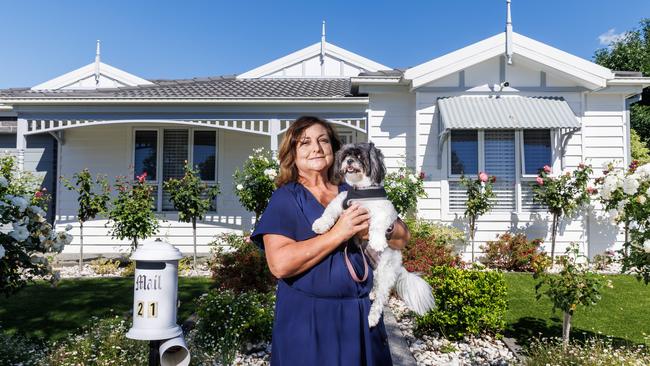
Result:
x=108 y=75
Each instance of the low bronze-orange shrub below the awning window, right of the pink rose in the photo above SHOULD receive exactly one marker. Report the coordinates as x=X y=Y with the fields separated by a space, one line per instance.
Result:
x=513 y=252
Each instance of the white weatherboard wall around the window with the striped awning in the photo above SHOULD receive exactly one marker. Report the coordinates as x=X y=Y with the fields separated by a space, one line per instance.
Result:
x=602 y=138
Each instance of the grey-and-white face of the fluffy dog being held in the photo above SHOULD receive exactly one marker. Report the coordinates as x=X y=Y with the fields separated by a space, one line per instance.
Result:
x=361 y=165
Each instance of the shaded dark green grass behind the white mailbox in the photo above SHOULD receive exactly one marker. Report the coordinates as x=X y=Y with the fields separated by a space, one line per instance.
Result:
x=52 y=313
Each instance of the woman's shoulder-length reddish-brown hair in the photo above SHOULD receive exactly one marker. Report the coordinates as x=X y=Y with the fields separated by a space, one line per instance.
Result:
x=287 y=155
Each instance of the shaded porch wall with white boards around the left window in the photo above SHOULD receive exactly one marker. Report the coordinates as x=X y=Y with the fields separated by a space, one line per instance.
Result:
x=108 y=150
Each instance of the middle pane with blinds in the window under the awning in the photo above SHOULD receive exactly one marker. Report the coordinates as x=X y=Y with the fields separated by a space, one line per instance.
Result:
x=500 y=162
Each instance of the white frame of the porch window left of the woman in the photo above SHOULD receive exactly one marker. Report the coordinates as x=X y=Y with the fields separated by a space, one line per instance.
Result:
x=158 y=182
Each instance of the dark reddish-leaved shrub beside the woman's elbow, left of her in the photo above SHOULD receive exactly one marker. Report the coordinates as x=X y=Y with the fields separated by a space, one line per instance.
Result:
x=243 y=268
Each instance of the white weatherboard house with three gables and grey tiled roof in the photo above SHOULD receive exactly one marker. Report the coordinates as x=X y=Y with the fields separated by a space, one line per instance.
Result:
x=506 y=105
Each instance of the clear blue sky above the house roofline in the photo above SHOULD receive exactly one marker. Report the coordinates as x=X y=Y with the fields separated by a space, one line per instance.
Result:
x=40 y=40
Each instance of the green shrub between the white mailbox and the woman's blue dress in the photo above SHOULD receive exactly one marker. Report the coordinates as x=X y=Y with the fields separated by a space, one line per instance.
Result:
x=228 y=320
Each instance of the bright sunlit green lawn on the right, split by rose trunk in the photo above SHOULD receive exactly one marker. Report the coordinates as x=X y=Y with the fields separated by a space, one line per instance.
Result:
x=623 y=312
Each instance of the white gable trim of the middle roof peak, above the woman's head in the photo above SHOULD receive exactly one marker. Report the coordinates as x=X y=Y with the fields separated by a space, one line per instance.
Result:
x=310 y=52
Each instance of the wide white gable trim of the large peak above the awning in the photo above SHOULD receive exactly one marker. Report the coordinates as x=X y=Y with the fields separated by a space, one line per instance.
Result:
x=588 y=73
